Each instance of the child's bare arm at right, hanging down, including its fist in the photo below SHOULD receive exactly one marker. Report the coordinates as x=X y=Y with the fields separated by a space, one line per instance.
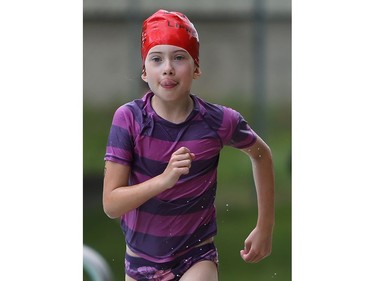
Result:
x=258 y=244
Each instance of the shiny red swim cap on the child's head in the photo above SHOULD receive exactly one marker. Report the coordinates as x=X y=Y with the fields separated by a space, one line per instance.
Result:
x=169 y=28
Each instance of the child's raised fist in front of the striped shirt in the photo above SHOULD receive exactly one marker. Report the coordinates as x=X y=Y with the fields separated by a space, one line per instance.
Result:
x=178 y=165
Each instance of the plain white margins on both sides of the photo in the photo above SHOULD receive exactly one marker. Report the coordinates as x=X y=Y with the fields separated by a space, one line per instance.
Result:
x=332 y=140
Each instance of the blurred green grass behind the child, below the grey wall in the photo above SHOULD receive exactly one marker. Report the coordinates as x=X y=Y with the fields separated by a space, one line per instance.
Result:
x=235 y=201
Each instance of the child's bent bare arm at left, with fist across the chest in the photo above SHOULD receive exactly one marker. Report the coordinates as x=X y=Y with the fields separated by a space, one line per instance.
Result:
x=120 y=198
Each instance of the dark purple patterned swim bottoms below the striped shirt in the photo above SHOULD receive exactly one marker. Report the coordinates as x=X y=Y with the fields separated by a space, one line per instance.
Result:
x=141 y=269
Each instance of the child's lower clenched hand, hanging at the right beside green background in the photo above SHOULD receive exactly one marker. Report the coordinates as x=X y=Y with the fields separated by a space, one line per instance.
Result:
x=258 y=246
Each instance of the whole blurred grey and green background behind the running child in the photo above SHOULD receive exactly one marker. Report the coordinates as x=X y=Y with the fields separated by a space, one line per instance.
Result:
x=245 y=58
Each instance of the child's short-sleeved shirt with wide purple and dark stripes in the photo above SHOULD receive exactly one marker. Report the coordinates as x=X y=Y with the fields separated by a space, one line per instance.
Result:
x=169 y=224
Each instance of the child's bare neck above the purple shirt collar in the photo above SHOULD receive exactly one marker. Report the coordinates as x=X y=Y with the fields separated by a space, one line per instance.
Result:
x=174 y=112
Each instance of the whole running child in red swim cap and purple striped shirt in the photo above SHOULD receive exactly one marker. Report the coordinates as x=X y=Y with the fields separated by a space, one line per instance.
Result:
x=161 y=164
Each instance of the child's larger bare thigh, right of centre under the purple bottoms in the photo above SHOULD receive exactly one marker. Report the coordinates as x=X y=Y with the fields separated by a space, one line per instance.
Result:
x=201 y=271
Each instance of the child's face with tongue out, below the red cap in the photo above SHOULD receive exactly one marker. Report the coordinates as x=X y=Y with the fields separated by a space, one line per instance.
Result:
x=169 y=71
